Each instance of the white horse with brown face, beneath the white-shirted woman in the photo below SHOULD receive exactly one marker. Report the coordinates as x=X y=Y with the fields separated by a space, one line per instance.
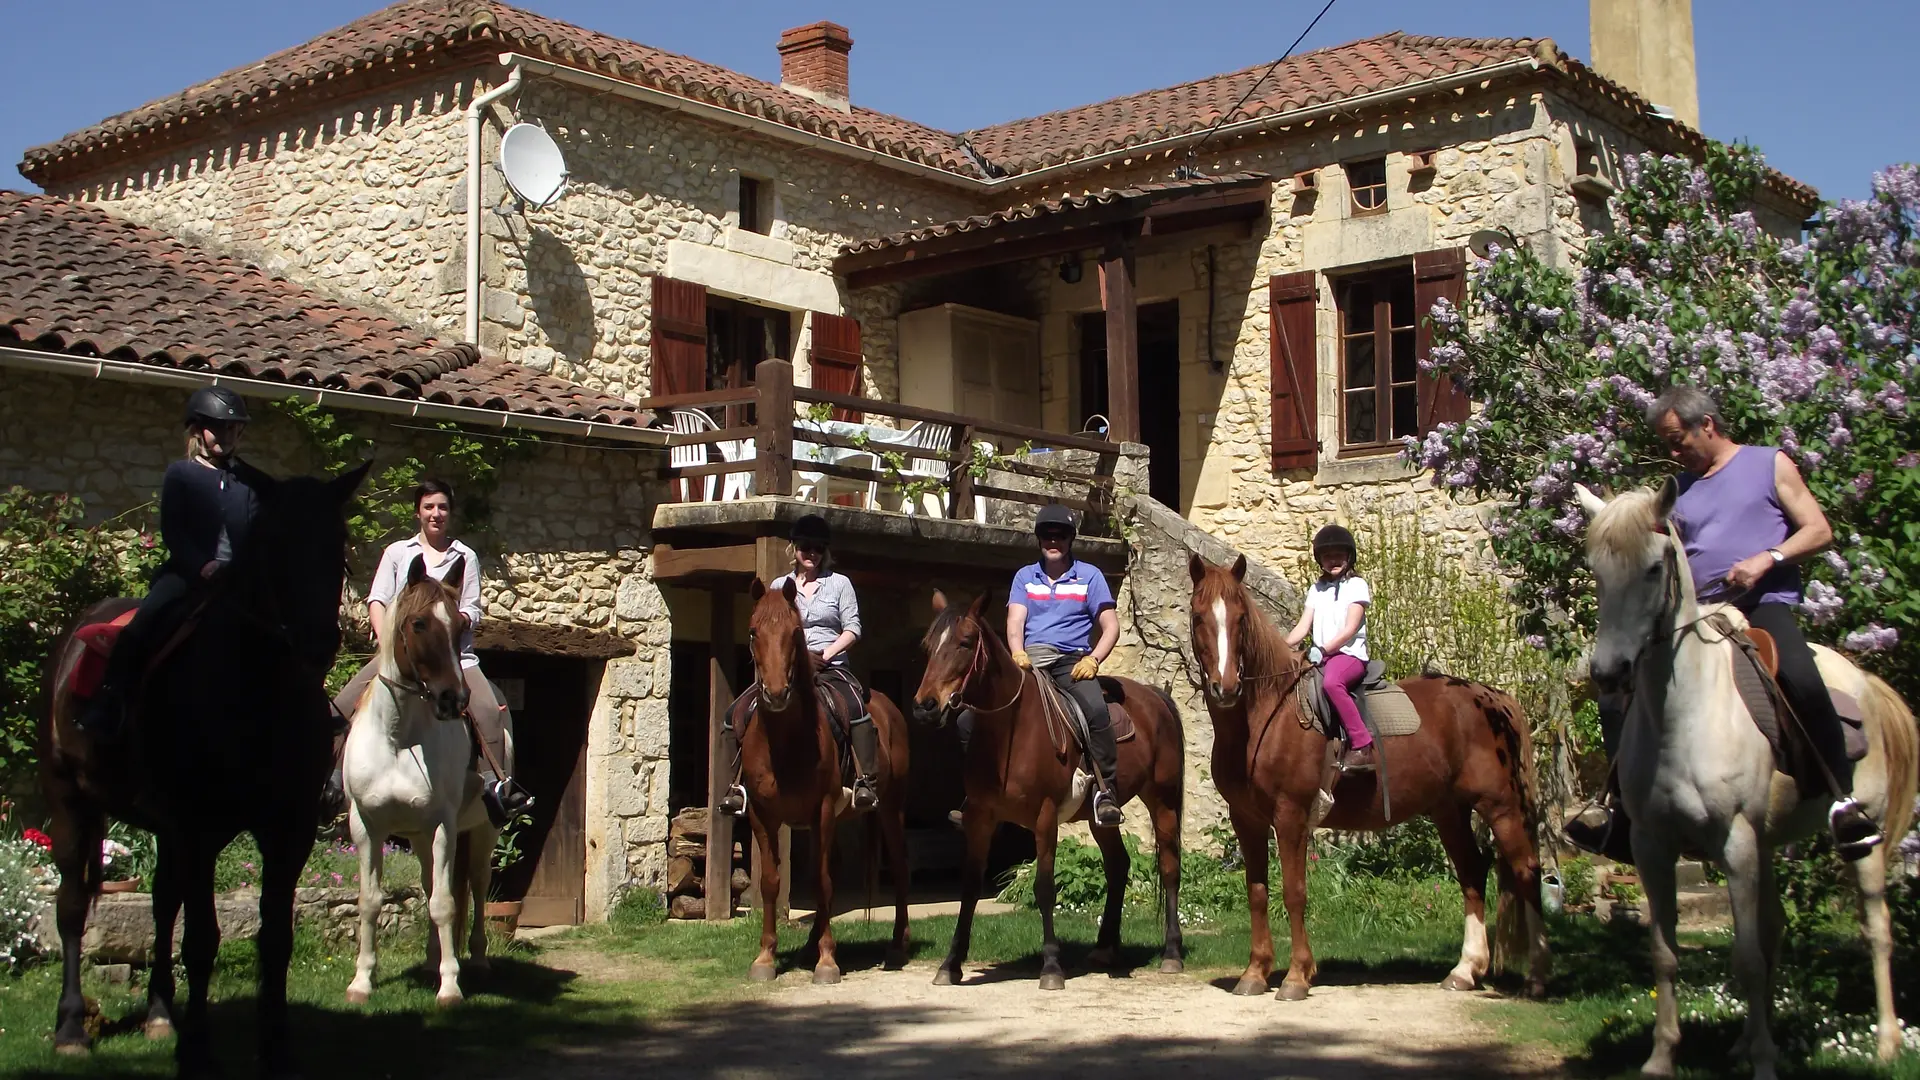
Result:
x=408 y=773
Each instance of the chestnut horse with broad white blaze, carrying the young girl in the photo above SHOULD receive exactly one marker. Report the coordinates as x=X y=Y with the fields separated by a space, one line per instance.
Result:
x=1472 y=754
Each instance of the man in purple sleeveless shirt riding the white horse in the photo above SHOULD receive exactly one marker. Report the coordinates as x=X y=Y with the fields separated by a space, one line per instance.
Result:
x=1746 y=522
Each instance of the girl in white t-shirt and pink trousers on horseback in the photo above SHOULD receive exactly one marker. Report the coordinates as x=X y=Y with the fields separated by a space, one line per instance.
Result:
x=1335 y=614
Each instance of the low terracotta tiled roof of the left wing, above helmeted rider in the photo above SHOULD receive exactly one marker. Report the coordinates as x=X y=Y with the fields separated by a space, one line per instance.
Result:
x=80 y=282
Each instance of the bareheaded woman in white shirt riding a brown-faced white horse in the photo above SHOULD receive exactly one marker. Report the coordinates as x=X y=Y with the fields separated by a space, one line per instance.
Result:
x=433 y=508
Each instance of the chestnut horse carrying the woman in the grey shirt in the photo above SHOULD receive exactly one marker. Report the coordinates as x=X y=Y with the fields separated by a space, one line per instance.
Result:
x=790 y=766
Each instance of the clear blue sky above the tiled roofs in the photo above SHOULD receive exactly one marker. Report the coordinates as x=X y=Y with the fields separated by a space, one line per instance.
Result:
x=1825 y=89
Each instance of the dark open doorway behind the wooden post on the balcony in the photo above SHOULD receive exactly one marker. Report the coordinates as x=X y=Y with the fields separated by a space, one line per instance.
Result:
x=1161 y=389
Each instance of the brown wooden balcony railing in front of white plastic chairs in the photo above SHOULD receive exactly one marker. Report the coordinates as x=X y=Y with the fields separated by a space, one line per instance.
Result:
x=982 y=460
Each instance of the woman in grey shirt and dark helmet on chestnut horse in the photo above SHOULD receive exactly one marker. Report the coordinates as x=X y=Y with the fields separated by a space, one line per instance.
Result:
x=830 y=618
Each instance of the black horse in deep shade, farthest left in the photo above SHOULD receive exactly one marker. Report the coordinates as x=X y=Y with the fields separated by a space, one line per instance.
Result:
x=231 y=733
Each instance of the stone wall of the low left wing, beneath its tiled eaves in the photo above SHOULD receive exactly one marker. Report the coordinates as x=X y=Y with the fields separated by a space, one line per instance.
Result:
x=569 y=545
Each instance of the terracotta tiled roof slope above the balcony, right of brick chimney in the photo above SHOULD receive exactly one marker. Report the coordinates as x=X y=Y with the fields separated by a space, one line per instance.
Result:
x=1301 y=82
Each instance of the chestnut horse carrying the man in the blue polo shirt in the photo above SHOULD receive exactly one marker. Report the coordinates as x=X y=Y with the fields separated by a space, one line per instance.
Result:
x=1019 y=772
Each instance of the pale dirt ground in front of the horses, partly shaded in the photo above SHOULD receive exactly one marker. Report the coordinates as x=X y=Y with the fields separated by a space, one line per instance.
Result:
x=997 y=1025
